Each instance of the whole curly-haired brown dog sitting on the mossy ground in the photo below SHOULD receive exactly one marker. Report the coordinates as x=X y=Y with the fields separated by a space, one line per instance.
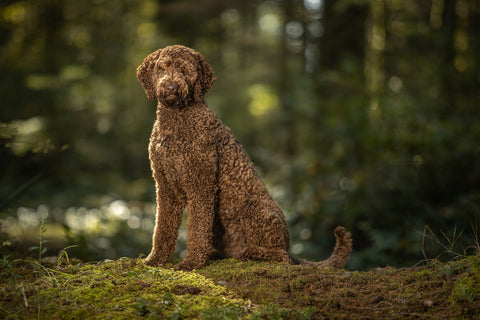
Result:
x=197 y=164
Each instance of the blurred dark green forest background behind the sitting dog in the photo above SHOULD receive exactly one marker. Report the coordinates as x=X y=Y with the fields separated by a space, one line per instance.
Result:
x=359 y=113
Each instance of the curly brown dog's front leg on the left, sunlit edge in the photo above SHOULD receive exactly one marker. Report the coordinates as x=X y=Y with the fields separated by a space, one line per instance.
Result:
x=167 y=222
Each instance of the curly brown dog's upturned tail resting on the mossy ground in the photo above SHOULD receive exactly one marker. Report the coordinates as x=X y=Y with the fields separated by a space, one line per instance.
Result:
x=341 y=252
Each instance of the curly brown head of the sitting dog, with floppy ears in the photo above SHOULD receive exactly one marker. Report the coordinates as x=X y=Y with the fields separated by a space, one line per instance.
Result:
x=175 y=75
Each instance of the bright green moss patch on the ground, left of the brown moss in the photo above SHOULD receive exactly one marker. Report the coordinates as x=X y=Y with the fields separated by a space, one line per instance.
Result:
x=123 y=289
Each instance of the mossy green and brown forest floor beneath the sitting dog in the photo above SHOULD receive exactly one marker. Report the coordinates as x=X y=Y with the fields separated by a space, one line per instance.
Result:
x=229 y=289
